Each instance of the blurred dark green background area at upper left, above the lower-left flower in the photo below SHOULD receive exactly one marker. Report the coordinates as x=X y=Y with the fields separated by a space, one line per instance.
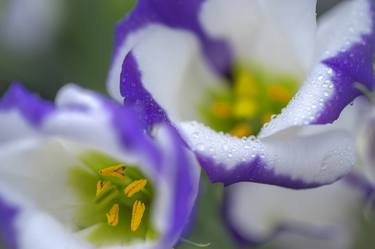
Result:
x=80 y=52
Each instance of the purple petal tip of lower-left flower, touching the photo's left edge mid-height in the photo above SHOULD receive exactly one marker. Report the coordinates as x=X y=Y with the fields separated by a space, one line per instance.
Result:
x=33 y=108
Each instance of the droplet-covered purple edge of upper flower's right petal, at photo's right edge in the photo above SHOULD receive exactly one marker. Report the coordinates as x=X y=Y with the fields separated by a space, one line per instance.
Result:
x=349 y=67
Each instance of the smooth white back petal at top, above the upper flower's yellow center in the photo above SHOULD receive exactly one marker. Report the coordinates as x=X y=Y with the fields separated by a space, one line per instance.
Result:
x=279 y=35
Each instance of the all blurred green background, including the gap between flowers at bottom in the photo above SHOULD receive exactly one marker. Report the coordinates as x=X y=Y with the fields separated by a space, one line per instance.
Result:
x=80 y=52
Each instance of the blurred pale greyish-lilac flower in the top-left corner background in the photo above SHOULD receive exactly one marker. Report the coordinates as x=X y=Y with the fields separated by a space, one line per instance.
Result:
x=29 y=25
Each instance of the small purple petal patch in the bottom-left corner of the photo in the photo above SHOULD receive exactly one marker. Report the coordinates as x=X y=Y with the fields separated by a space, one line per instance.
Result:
x=7 y=230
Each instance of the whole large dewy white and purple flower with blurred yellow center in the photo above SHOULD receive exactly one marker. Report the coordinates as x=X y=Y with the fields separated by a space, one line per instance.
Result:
x=219 y=70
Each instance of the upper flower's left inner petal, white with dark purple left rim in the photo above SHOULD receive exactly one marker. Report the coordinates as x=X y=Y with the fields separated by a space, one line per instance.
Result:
x=163 y=74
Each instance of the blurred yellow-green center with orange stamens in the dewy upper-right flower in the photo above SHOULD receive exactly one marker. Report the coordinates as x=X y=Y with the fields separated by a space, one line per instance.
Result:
x=248 y=102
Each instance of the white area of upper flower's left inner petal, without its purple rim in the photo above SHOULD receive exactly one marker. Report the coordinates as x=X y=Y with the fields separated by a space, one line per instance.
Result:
x=173 y=70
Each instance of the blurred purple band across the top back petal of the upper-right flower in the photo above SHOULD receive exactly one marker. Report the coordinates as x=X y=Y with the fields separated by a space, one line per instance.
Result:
x=175 y=14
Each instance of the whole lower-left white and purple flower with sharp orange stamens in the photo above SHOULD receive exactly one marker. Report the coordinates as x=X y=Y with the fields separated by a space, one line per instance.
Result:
x=81 y=173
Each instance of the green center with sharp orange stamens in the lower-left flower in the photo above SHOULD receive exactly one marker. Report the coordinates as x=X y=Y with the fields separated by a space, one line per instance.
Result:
x=116 y=200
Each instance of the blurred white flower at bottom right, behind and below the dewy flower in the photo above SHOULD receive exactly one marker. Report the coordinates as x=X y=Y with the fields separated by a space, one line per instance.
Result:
x=325 y=217
